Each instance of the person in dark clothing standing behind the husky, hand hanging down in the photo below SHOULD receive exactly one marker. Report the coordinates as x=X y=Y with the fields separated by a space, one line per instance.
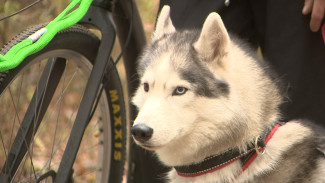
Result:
x=288 y=34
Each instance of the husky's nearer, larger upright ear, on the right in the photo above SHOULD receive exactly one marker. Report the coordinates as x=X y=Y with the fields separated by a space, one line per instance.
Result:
x=214 y=39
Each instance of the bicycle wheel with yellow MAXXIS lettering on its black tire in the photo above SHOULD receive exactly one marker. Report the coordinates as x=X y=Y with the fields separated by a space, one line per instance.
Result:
x=102 y=153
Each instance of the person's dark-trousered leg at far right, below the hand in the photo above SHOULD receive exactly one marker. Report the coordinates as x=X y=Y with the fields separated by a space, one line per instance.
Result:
x=298 y=56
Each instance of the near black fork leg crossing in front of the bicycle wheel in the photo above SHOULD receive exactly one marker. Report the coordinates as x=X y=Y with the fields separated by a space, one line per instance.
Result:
x=102 y=19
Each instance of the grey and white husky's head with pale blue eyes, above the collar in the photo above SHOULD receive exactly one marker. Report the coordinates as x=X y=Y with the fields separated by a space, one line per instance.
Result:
x=200 y=93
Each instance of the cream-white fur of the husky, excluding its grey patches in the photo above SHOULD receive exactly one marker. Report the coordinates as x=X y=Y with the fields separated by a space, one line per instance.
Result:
x=189 y=128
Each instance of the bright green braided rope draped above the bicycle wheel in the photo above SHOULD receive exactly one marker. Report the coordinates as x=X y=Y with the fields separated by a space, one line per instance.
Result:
x=42 y=37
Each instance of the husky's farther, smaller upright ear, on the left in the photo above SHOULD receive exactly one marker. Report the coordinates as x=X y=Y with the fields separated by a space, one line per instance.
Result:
x=164 y=24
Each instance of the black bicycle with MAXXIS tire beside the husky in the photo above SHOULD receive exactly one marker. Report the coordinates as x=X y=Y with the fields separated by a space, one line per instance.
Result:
x=49 y=82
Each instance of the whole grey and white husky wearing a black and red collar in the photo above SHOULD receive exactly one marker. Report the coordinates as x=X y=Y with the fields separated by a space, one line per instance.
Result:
x=209 y=108
